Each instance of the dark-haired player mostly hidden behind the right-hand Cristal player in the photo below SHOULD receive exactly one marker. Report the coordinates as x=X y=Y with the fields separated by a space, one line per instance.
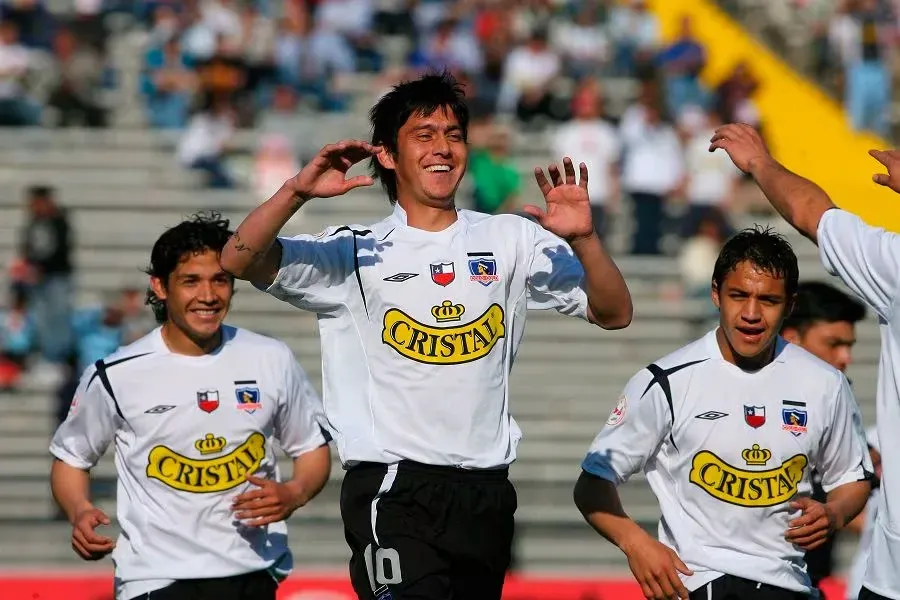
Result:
x=823 y=322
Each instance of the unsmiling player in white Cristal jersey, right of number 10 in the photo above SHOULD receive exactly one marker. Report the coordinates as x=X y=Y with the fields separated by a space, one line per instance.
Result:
x=727 y=430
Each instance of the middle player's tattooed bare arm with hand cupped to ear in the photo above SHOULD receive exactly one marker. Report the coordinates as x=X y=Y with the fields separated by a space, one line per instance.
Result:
x=253 y=252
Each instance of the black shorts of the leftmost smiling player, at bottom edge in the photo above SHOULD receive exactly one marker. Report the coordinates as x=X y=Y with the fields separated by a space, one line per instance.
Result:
x=259 y=585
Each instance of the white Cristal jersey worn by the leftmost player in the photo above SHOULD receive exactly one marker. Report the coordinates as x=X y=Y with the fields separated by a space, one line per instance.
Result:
x=187 y=431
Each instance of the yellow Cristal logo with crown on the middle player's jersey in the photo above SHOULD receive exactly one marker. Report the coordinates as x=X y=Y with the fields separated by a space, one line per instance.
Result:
x=443 y=345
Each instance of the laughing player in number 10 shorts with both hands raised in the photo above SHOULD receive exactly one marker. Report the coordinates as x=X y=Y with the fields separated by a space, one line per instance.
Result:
x=420 y=317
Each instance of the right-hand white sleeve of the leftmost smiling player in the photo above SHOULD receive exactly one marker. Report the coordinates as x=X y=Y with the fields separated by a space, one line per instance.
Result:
x=299 y=420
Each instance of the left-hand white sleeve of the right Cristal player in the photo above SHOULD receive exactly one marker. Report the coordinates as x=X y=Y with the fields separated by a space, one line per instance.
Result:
x=633 y=434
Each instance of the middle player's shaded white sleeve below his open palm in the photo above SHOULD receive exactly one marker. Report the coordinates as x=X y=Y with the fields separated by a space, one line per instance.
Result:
x=555 y=276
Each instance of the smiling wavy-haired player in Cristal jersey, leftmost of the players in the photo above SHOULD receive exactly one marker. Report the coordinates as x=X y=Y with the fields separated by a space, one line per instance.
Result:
x=194 y=409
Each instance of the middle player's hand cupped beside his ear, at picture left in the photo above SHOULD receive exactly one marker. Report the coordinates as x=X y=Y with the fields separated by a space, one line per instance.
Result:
x=325 y=176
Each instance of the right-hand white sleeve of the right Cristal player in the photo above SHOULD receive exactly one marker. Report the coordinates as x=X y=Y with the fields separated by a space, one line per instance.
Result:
x=843 y=455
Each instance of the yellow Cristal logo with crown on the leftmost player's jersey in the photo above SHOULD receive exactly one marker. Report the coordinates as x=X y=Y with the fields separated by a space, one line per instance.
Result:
x=210 y=475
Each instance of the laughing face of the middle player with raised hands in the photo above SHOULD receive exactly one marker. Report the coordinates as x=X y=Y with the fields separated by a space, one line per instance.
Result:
x=430 y=160
